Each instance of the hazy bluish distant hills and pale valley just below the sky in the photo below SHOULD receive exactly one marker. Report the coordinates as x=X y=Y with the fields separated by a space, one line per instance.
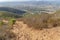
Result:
x=33 y=5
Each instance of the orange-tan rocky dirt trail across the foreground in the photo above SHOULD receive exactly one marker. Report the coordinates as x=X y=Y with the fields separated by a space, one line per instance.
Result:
x=23 y=32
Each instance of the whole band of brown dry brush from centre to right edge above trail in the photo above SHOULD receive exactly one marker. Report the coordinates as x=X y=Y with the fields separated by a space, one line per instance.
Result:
x=43 y=20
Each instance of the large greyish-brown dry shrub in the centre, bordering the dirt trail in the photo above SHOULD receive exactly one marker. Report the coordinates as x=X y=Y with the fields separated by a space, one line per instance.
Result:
x=37 y=21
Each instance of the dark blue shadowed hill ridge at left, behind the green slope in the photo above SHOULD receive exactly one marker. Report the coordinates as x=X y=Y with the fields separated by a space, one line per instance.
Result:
x=12 y=10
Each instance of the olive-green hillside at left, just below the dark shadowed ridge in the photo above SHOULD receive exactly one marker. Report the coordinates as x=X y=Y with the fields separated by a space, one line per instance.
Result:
x=5 y=14
